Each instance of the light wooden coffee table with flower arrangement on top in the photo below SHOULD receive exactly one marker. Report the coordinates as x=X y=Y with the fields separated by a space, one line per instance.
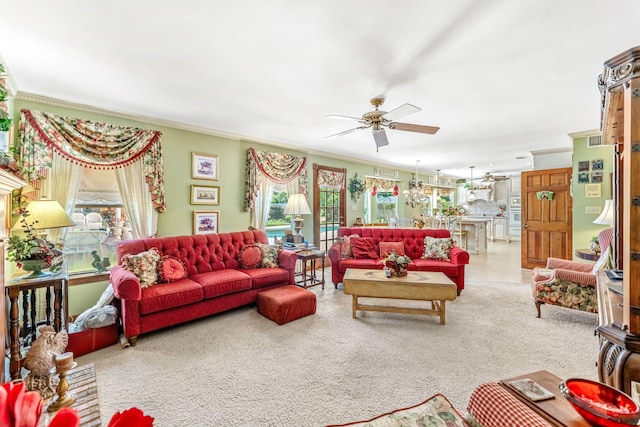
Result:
x=416 y=285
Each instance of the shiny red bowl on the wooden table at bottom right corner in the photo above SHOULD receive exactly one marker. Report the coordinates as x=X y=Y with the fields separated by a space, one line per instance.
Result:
x=600 y=404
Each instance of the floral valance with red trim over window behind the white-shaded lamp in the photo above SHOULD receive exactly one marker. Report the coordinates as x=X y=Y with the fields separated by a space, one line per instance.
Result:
x=277 y=167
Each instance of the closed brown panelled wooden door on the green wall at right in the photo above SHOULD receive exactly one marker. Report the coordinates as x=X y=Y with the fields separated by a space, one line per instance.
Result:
x=546 y=221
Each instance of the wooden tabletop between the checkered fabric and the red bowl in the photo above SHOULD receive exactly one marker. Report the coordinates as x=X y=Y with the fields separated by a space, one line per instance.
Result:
x=557 y=411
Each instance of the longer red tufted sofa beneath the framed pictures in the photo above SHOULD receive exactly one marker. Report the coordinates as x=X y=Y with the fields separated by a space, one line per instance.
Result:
x=214 y=281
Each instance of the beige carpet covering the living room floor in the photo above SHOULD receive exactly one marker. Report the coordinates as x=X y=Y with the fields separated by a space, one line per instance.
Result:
x=241 y=369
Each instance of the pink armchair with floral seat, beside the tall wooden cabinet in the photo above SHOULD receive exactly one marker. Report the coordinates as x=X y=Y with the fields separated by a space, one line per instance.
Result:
x=571 y=284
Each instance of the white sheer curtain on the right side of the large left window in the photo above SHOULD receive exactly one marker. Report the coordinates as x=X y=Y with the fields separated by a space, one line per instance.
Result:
x=137 y=200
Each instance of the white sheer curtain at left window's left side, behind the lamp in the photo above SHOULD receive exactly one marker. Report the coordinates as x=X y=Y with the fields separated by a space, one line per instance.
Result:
x=63 y=189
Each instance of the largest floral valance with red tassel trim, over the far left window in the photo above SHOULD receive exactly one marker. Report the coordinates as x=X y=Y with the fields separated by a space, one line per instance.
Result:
x=89 y=144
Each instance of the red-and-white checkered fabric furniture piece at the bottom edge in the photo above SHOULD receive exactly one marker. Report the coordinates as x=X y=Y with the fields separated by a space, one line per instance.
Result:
x=493 y=406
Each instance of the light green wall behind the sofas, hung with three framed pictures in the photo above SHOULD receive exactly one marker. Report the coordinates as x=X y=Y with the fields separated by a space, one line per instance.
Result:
x=177 y=148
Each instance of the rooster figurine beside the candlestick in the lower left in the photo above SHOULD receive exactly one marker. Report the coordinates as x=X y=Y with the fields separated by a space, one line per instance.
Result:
x=41 y=360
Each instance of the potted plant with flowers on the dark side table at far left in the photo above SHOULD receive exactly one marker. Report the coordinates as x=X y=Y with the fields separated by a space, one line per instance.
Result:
x=32 y=253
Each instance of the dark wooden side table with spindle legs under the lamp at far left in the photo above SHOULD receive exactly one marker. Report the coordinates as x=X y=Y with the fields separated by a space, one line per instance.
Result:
x=19 y=283
